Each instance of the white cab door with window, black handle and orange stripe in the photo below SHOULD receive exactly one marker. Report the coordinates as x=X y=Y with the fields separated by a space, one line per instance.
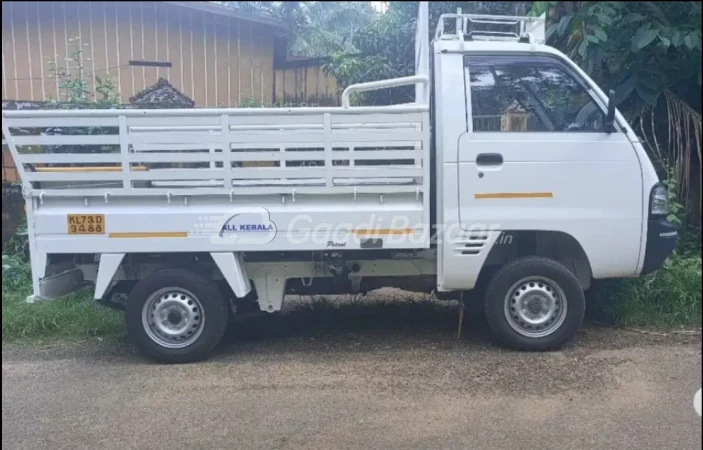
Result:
x=537 y=157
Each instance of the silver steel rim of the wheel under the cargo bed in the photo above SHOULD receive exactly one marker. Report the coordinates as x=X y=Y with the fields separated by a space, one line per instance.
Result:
x=173 y=317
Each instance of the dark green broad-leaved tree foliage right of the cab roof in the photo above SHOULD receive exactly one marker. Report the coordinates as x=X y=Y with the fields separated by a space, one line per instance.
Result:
x=641 y=49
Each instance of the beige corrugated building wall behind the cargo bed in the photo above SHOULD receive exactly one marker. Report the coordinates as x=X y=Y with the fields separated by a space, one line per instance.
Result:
x=217 y=61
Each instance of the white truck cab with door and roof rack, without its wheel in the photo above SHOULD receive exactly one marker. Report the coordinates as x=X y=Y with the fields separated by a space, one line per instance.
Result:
x=525 y=144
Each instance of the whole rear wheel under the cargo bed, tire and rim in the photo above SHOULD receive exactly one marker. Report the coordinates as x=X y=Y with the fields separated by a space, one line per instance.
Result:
x=176 y=316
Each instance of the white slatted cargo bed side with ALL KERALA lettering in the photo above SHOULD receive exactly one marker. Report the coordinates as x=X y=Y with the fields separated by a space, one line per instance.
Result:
x=223 y=179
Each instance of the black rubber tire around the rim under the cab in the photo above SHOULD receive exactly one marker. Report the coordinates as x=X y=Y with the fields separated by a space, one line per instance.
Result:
x=522 y=268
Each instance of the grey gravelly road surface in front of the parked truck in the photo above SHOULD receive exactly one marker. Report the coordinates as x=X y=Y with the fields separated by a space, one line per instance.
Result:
x=362 y=386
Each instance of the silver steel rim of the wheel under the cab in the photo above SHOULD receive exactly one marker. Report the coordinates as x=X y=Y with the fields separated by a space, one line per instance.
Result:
x=535 y=307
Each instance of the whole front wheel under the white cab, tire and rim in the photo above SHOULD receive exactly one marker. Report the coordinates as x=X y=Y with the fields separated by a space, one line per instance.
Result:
x=534 y=304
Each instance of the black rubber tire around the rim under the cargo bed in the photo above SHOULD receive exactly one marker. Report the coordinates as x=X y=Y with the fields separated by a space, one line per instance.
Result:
x=215 y=311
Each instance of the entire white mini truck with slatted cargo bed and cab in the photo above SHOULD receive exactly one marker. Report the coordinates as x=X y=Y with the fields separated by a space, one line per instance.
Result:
x=515 y=178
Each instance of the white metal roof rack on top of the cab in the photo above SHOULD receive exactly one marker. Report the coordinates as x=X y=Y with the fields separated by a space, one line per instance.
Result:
x=492 y=28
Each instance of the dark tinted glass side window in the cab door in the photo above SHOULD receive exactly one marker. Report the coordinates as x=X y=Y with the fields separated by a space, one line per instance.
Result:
x=519 y=95
